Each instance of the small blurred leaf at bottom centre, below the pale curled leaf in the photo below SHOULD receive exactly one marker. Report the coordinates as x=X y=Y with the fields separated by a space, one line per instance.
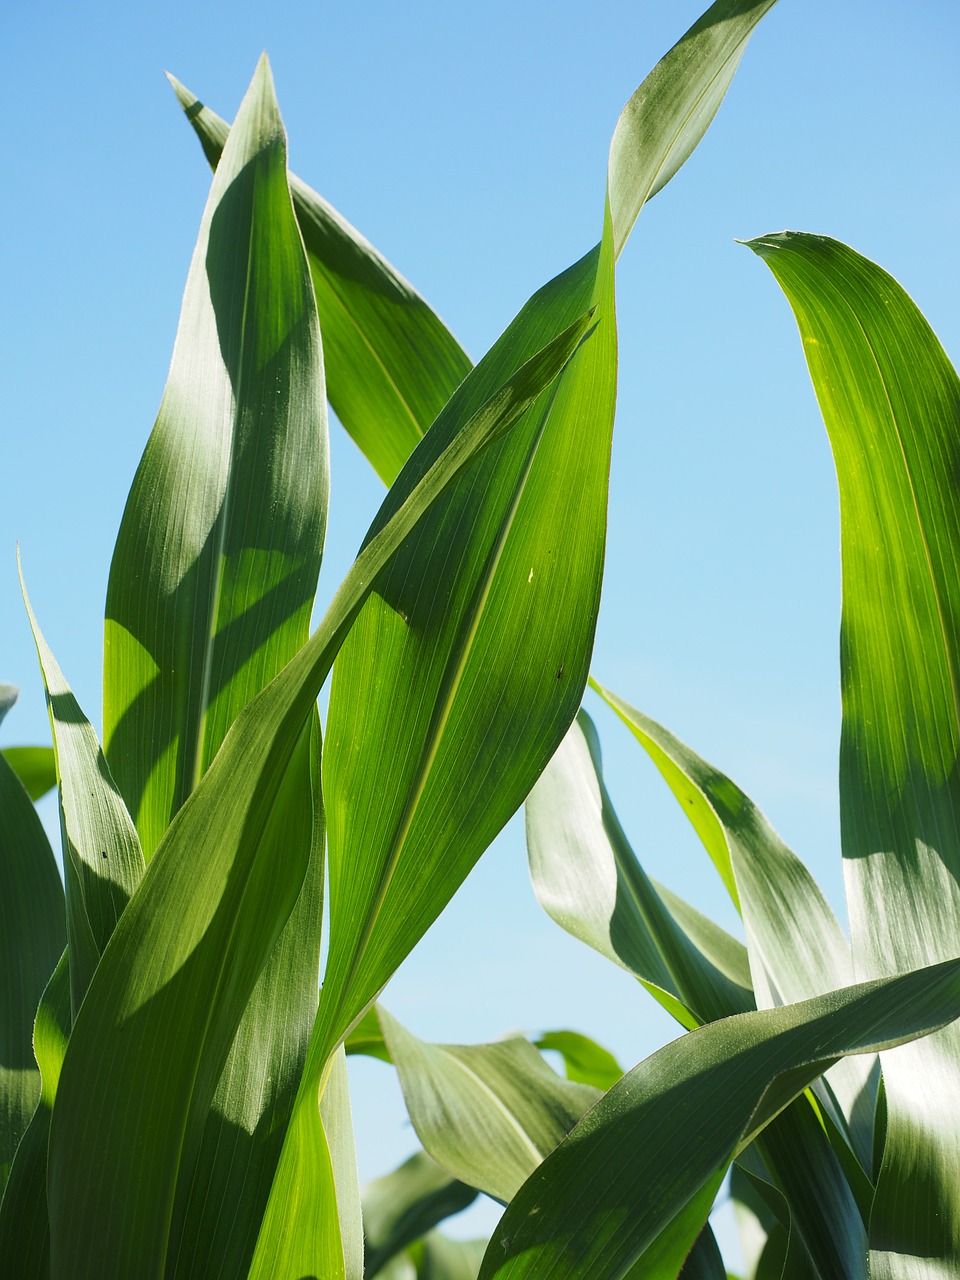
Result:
x=405 y=1205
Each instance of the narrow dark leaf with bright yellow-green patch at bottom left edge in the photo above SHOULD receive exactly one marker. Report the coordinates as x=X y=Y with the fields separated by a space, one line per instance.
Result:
x=25 y=1223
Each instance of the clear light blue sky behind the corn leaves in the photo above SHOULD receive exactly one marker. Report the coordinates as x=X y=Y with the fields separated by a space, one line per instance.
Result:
x=469 y=144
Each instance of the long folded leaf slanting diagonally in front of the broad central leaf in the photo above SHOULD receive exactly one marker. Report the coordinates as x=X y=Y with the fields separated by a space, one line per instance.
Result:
x=164 y=1005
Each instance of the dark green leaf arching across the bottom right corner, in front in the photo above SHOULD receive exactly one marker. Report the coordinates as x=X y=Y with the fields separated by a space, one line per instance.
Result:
x=634 y=1182
